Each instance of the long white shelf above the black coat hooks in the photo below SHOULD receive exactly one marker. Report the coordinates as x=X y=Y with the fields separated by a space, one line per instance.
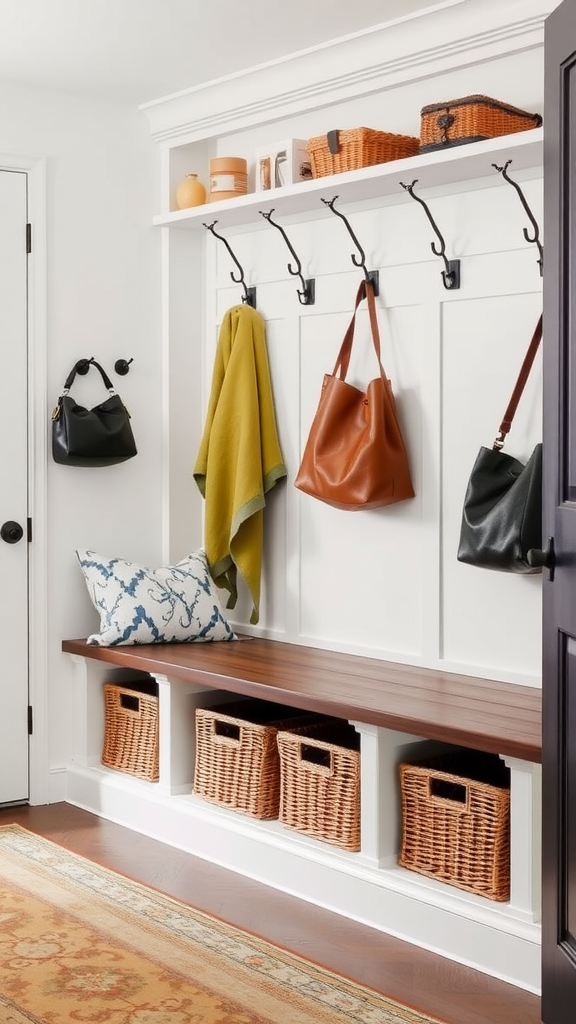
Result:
x=444 y=168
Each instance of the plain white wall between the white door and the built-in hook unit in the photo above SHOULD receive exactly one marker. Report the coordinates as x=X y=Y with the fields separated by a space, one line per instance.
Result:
x=102 y=300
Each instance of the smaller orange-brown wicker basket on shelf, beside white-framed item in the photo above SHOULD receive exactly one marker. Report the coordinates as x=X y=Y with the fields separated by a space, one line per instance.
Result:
x=347 y=151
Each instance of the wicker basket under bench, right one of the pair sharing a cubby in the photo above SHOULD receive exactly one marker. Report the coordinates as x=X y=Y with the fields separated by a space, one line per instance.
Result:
x=320 y=784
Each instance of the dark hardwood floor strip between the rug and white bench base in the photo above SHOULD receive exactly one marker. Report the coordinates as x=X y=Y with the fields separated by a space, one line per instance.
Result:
x=434 y=985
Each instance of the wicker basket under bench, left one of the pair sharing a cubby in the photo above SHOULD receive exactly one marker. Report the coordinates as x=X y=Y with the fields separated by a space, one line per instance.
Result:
x=237 y=762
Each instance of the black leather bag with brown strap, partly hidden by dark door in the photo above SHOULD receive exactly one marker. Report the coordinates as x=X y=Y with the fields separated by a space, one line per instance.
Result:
x=503 y=510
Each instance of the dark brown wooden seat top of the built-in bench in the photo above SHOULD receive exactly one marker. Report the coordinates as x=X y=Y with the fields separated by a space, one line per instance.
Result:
x=499 y=717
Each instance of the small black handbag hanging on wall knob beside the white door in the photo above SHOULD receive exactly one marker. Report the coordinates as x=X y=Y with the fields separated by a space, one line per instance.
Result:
x=99 y=437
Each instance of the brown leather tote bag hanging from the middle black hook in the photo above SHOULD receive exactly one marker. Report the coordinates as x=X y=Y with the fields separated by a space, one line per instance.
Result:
x=355 y=457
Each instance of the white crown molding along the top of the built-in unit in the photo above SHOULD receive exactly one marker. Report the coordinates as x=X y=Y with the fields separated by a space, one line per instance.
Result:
x=455 y=34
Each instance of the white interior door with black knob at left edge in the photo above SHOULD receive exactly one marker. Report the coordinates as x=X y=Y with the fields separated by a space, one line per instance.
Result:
x=14 y=490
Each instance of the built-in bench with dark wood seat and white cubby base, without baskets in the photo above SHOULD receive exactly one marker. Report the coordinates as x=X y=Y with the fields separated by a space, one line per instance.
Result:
x=401 y=712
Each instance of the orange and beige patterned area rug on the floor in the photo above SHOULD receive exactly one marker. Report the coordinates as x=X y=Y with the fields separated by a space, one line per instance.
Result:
x=80 y=945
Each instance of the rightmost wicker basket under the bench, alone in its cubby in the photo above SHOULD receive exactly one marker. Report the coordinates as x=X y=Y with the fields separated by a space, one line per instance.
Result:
x=456 y=822
